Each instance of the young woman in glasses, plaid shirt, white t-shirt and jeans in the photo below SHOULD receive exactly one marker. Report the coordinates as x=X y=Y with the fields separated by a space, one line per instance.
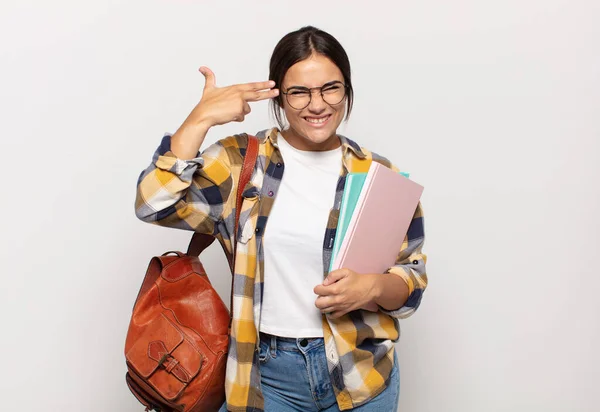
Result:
x=302 y=339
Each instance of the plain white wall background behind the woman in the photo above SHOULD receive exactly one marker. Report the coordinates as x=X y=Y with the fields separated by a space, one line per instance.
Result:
x=491 y=105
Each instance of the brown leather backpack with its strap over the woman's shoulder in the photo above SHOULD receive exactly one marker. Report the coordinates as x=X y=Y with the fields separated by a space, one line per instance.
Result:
x=176 y=346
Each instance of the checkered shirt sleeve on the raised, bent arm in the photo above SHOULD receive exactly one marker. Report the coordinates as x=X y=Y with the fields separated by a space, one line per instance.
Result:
x=185 y=194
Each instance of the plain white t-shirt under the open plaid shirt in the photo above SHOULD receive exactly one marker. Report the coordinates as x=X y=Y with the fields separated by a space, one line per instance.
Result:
x=293 y=241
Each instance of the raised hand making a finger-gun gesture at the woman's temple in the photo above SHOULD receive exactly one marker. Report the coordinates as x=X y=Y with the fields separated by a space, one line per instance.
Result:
x=221 y=105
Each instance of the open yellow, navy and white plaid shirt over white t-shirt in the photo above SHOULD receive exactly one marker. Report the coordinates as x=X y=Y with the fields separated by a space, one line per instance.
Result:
x=199 y=195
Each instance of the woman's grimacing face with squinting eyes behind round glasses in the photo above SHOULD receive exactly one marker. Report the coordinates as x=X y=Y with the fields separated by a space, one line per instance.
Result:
x=313 y=127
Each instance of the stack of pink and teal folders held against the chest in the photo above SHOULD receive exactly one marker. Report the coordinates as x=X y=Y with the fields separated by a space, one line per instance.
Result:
x=376 y=211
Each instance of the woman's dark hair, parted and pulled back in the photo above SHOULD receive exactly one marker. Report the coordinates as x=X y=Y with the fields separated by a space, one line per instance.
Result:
x=300 y=45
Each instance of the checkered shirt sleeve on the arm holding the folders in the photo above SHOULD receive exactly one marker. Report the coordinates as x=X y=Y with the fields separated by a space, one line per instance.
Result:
x=410 y=266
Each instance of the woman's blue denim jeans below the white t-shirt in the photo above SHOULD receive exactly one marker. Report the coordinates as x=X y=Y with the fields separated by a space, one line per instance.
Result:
x=294 y=378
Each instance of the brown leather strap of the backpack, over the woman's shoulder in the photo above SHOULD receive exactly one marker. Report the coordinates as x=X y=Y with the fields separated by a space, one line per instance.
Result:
x=201 y=241
